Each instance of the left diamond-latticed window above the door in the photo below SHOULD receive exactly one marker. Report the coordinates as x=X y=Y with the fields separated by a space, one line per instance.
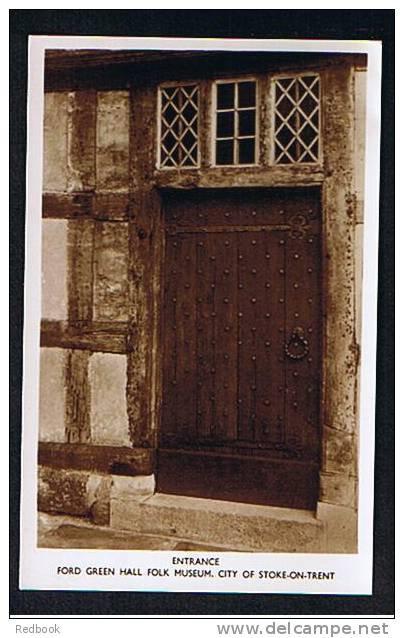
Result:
x=179 y=136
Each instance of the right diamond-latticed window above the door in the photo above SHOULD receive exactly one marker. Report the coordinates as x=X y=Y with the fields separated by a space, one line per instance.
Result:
x=297 y=120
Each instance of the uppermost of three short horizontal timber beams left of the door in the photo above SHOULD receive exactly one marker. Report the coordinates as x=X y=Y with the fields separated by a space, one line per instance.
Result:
x=102 y=206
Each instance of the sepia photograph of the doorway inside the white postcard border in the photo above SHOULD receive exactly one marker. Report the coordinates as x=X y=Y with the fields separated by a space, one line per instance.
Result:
x=201 y=265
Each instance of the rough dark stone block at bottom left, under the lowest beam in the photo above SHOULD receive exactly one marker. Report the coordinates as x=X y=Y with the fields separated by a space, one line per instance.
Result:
x=62 y=491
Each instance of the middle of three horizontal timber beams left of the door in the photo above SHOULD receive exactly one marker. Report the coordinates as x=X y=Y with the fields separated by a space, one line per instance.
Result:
x=103 y=336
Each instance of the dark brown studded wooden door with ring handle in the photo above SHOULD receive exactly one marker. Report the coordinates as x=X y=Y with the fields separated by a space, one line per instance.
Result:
x=242 y=346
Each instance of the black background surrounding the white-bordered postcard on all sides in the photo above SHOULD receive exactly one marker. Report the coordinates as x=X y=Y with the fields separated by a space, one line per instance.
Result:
x=319 y=24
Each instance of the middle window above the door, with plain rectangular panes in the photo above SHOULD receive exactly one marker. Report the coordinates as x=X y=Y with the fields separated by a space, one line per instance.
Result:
x=235 y=105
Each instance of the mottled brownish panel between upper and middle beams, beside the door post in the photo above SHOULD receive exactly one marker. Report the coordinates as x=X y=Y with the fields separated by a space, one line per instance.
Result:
x=111 y=257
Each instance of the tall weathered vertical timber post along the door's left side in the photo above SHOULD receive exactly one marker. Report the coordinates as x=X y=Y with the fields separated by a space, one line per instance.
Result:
x=145 y=255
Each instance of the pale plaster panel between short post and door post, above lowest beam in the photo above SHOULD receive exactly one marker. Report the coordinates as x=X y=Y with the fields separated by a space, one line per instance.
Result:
x=109 y=419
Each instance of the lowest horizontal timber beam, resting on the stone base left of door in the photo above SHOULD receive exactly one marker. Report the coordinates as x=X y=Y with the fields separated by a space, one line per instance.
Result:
x=106 y=459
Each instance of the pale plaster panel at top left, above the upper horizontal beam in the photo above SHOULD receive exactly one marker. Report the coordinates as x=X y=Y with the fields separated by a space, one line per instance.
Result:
x=55 y=142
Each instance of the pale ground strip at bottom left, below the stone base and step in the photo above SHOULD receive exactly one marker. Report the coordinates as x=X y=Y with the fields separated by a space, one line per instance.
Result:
x=68 y=532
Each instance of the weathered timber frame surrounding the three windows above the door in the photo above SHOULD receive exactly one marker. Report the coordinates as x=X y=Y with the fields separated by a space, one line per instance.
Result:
x=290 y=173
